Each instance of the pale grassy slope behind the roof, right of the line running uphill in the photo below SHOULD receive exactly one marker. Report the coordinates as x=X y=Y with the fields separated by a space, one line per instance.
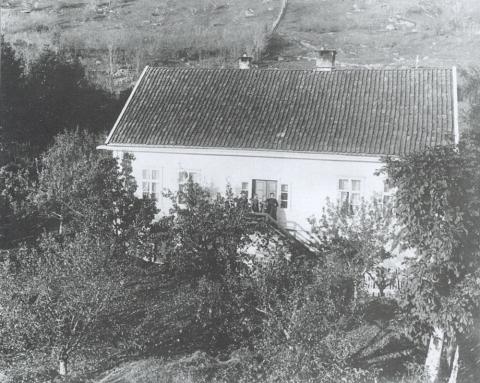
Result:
x=386 y=32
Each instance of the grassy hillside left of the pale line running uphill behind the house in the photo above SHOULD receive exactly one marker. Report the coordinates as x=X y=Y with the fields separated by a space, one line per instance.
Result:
x=116 y=38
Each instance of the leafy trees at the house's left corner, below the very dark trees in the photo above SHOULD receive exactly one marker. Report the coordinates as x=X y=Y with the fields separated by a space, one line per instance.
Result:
x=72 y=187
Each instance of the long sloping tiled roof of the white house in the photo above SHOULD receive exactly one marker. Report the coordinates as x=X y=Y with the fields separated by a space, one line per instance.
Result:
x=344 y=111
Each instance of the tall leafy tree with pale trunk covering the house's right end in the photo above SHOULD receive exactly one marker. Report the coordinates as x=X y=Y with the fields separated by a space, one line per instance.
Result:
x=438 y=208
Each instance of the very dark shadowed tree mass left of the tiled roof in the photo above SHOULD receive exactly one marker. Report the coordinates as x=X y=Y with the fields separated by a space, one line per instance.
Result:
x=53 y=96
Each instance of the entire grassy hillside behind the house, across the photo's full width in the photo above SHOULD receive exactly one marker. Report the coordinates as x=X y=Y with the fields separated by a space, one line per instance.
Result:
x=116 y=38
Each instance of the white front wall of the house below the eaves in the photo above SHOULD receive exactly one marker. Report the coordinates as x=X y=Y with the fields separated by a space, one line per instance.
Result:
x=310 y=180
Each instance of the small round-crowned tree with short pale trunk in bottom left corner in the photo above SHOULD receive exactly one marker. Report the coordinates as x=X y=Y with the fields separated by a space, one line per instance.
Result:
x=62 y=297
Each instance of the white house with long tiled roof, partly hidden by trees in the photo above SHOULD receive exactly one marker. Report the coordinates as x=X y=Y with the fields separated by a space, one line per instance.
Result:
x=303 y=135
